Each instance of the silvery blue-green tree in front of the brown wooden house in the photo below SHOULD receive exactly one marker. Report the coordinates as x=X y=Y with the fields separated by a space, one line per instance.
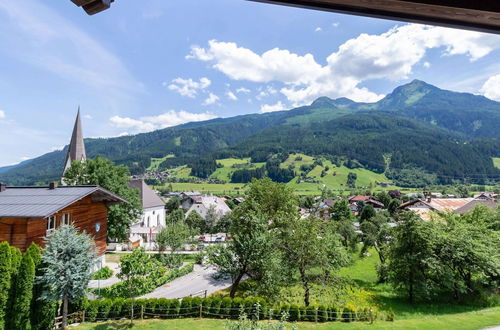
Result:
x=68 y=259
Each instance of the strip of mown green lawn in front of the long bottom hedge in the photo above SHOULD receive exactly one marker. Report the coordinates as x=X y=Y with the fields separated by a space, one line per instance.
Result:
x=470 y=320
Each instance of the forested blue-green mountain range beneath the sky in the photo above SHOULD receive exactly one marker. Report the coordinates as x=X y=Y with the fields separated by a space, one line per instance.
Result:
x=416 y=127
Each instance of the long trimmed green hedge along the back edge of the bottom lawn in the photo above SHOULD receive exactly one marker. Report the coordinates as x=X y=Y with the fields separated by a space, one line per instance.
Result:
x=215 y=307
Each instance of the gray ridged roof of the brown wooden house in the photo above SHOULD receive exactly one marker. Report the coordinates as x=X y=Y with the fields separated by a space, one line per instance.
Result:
x=41 y=202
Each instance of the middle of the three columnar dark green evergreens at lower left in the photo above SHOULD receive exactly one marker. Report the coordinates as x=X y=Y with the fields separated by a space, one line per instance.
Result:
x=21 y=308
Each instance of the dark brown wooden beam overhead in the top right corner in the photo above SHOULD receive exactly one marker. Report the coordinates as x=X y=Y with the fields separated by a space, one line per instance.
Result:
x=477 y=15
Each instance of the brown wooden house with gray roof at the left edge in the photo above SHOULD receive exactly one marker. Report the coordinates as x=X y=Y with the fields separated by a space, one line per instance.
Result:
x=31 y=214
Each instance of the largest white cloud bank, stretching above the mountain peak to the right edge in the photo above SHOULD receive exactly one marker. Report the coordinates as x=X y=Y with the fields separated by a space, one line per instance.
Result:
x=390 y=55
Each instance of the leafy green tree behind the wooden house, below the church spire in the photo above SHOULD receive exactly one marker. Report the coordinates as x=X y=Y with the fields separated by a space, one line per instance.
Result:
x=115 y=178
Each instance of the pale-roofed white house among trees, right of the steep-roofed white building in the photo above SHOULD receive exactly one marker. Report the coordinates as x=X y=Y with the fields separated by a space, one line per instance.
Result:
x=202 y=203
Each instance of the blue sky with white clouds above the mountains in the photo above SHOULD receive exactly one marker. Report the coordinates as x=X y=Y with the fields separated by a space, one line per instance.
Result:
x=146 y=65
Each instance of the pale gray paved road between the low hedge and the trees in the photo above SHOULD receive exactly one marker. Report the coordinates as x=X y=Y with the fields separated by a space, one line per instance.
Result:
x=200 y=279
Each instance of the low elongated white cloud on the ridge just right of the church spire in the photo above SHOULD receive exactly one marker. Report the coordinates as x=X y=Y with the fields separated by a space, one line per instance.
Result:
x=151 y=123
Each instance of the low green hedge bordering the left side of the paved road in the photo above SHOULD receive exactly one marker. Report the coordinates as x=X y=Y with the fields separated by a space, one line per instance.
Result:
x=120 y=289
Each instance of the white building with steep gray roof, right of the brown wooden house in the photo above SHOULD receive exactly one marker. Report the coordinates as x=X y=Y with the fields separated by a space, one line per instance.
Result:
x=143 y=232
